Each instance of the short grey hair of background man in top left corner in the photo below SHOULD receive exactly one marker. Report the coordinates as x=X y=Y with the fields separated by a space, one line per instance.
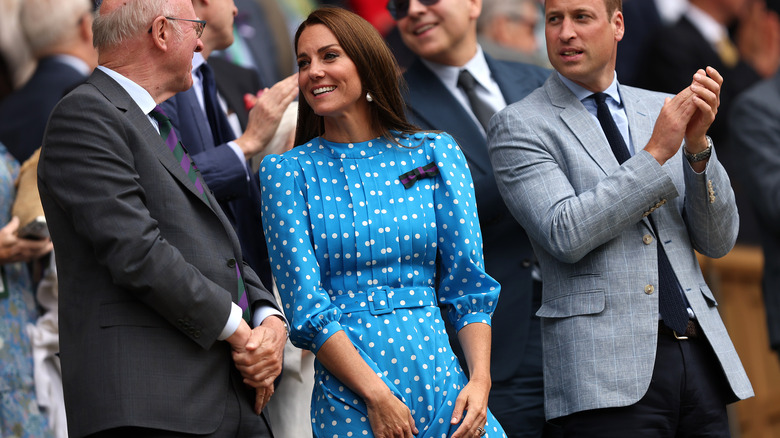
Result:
x=48 y=23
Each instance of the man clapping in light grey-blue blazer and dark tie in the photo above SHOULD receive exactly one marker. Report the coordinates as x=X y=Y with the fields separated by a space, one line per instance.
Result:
x=616 y=241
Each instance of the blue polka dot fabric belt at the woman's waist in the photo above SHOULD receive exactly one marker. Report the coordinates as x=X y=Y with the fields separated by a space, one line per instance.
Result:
x=384 y=299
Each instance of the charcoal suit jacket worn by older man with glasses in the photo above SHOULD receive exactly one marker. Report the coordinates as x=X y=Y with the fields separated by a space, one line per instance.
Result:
x=147 y=270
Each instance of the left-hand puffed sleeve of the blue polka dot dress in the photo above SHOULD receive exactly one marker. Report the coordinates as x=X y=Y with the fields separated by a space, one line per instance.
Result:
x=296 y=271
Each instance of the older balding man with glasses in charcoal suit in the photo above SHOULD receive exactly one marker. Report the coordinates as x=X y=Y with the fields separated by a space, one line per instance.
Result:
x=152 y=283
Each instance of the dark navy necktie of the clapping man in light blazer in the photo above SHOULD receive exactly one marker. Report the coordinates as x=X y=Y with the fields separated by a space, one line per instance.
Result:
x=671 y=305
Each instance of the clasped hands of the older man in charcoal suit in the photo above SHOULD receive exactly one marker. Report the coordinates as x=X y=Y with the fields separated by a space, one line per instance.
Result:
x=258 y=354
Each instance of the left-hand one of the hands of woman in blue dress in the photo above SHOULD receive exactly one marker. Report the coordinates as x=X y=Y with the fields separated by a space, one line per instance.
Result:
x=390 y=417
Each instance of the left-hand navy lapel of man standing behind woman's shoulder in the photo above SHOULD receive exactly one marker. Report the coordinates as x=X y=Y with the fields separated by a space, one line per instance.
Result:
x=436 y=107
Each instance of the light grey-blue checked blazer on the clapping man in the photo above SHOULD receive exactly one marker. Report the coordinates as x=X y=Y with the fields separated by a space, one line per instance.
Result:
x=586 y=217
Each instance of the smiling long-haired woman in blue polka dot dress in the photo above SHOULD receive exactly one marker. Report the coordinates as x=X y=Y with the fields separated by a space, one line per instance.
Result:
x=370 y=227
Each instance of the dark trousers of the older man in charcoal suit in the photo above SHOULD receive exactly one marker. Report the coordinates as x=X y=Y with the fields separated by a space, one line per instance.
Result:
x=240 y=421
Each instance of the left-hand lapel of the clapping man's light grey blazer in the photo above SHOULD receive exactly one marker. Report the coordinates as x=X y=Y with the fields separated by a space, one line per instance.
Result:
x=582 y=126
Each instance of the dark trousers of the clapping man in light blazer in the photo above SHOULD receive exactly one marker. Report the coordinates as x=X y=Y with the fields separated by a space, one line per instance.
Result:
x=687 y=398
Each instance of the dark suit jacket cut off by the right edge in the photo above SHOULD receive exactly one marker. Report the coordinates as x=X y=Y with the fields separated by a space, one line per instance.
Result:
x=755 y=134
